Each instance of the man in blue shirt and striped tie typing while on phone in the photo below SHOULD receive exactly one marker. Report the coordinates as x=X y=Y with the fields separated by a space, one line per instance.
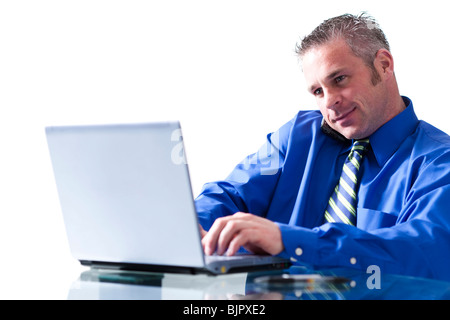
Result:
x=362 y=182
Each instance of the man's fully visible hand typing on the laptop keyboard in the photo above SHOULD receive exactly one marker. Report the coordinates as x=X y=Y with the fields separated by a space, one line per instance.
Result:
x=255 y=234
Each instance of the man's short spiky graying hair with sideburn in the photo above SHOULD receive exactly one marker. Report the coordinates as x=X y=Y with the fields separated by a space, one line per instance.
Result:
x=362 y=33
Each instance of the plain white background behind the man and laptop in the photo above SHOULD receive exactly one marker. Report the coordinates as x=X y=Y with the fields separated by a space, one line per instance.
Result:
x=226 y=69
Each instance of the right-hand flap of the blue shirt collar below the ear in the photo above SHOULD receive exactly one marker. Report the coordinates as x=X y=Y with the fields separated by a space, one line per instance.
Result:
x=387 y=139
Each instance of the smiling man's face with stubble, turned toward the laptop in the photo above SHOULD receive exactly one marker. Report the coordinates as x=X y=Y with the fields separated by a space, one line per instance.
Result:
x=345 y=91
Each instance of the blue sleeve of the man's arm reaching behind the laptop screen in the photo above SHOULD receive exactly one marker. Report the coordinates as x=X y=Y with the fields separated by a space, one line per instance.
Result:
x=250 y=186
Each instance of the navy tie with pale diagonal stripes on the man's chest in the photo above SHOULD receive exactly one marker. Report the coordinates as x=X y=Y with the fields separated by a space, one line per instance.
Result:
x=342 y=203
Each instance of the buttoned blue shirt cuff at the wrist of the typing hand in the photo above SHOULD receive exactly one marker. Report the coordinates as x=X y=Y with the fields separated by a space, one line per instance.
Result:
x=300 y=244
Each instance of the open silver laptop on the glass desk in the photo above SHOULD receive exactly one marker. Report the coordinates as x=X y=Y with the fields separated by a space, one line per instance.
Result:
x=127 y=201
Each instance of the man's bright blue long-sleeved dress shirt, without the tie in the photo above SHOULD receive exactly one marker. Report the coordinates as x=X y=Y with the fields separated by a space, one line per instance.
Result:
x=403 y=214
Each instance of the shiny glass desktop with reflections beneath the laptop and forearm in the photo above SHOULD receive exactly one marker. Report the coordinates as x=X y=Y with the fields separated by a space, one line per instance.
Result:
x=110 y=285
